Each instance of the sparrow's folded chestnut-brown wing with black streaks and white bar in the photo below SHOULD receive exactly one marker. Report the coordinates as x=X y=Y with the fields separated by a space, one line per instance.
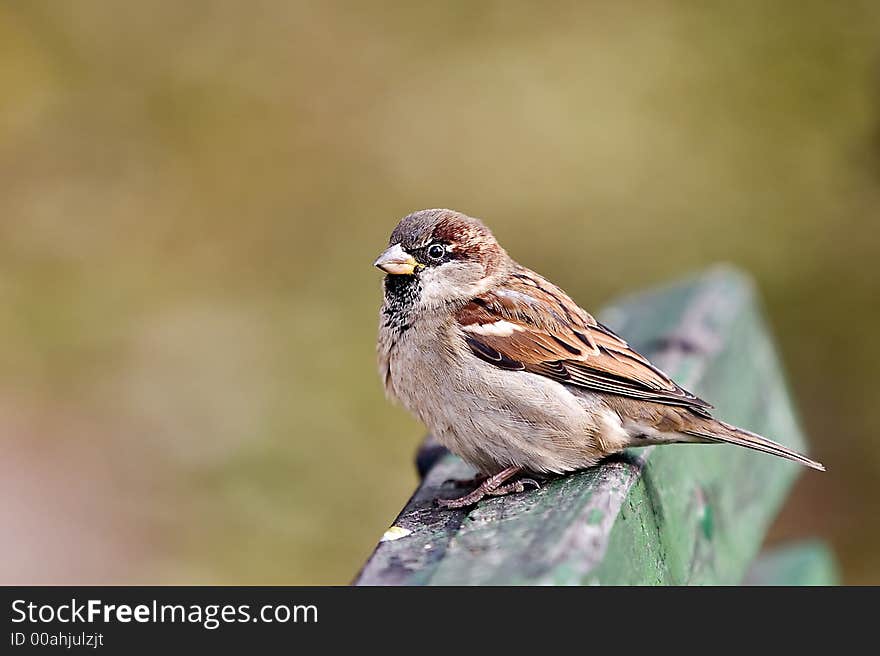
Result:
x=529 y=324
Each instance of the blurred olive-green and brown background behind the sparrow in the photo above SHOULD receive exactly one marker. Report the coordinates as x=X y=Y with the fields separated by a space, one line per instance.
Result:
x=193 y=194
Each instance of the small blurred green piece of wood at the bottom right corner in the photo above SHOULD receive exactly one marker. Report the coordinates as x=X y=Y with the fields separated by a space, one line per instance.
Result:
x=804 y=563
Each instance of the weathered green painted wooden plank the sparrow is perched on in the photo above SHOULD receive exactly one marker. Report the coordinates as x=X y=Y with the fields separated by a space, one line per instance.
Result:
x=679 y=514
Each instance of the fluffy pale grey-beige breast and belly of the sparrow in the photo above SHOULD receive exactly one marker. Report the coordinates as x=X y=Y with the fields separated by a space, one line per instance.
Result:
x=489 y=416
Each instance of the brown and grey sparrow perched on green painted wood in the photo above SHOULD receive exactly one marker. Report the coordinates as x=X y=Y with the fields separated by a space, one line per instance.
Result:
x=509 y=373
